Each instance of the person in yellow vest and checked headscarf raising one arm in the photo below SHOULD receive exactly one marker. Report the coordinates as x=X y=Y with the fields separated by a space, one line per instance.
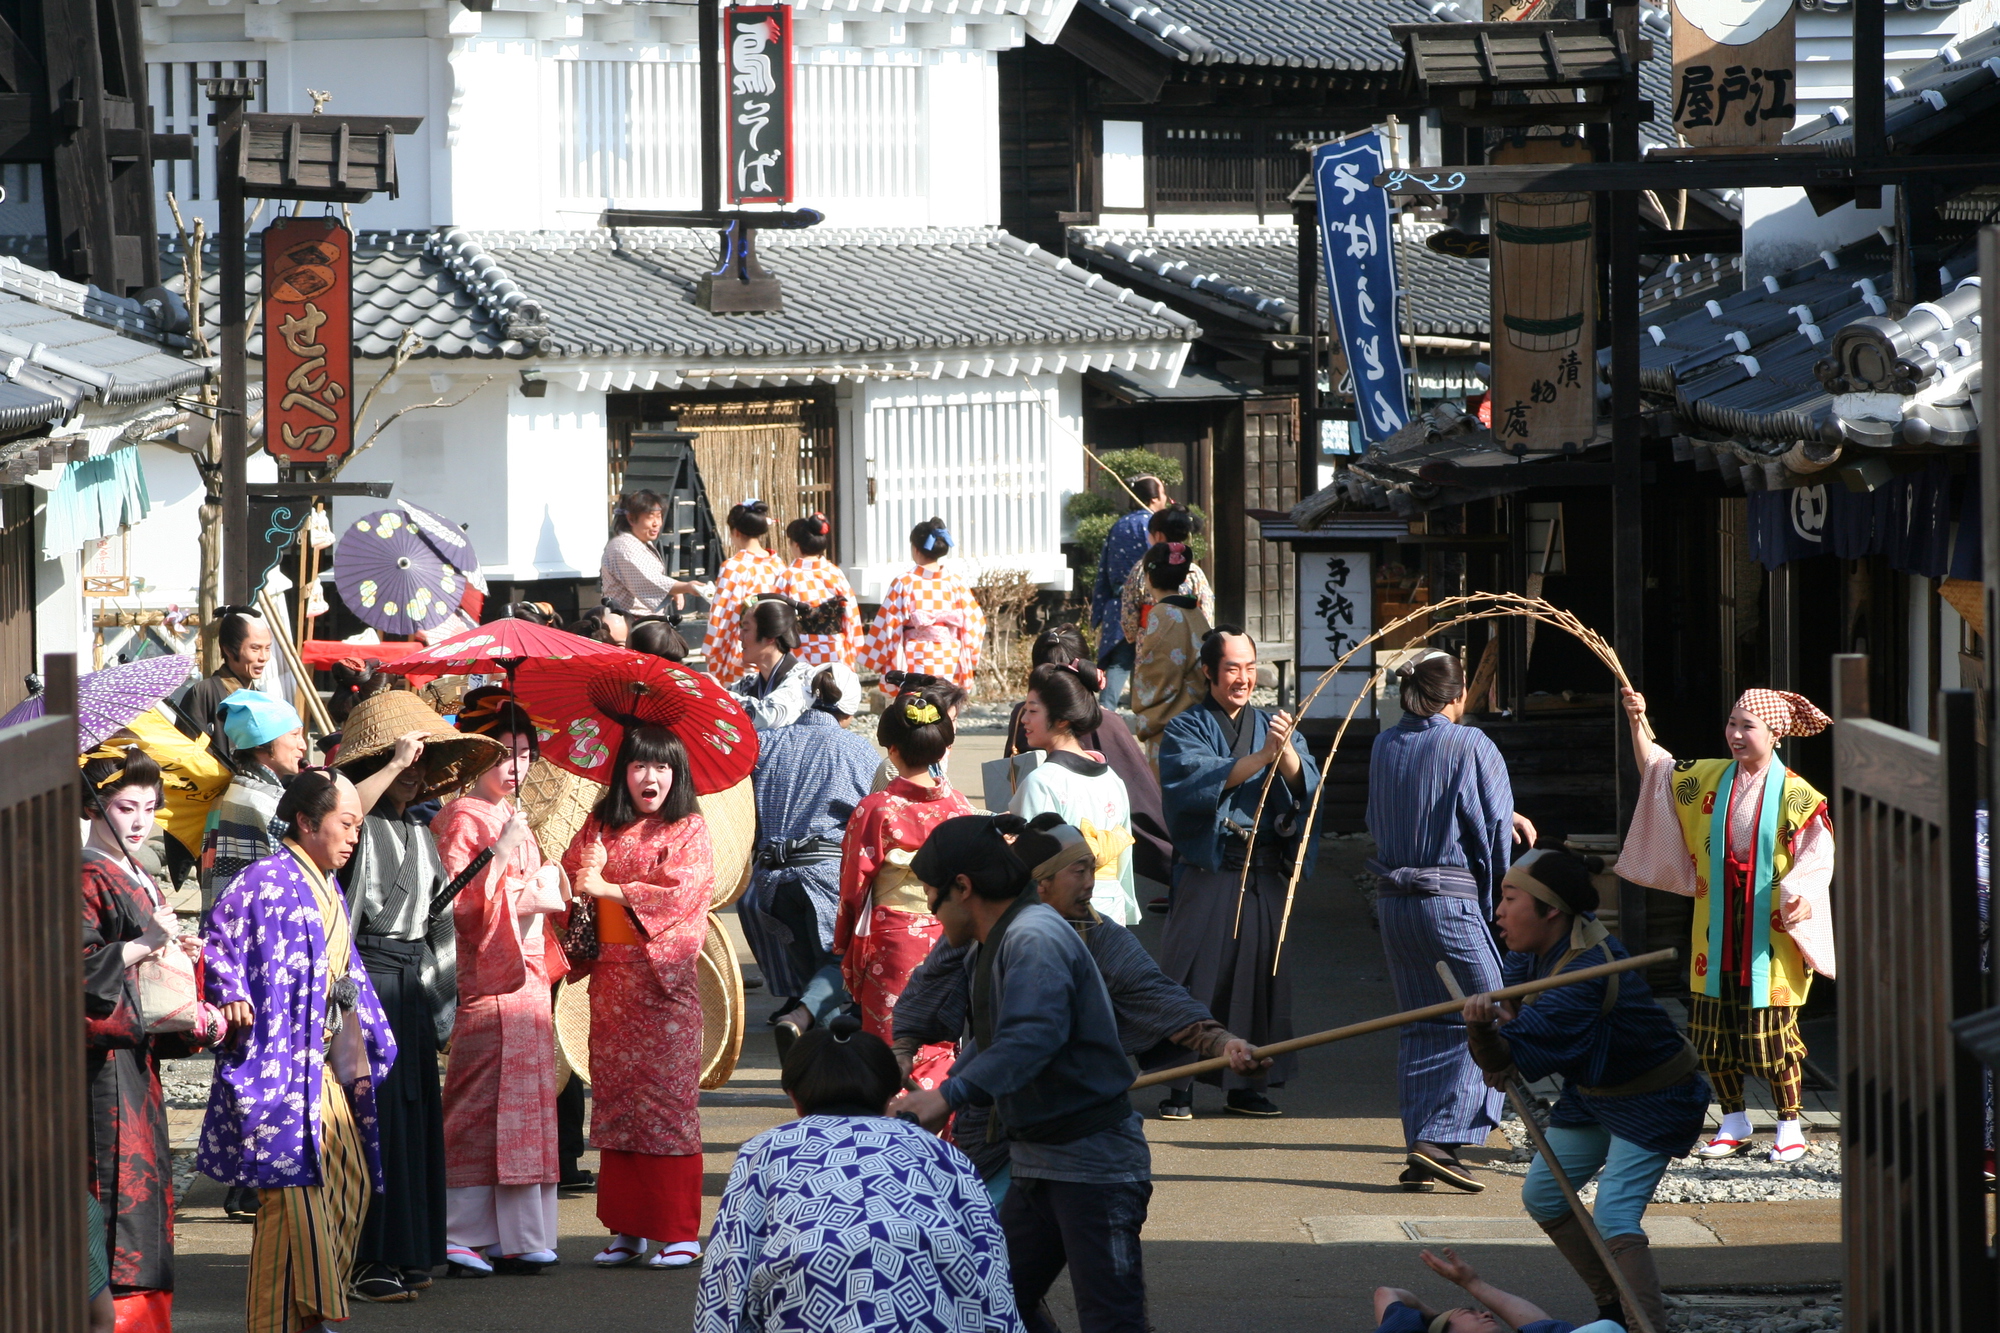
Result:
x=1755 y=836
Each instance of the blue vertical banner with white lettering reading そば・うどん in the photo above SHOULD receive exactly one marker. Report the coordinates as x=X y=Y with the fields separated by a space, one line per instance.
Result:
x=1359 y=243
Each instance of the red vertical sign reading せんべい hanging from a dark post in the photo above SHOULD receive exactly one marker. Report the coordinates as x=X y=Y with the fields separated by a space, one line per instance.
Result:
x=309 y=341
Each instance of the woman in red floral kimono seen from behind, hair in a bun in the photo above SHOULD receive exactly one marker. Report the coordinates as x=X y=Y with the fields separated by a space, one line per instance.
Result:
x=885 y=926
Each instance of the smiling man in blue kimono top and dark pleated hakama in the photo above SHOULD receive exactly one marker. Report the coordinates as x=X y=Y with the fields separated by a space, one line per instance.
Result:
x=1213 y=768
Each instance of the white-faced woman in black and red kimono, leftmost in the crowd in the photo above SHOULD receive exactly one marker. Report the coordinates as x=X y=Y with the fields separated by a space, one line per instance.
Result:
x=127 y=922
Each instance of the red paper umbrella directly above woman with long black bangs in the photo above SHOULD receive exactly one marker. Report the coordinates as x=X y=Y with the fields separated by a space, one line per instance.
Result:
x=589 y=702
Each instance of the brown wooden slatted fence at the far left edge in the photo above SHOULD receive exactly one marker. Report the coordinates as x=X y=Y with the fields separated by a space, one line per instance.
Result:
x=45 y=1148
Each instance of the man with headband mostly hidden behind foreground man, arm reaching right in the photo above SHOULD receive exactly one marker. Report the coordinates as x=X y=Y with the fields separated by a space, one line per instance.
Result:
x=1155 y=1014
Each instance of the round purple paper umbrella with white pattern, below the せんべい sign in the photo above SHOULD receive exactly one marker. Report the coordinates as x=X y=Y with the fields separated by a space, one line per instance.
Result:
x=397 y=575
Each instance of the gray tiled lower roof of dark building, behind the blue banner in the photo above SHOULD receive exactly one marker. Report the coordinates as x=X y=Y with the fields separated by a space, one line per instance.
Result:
x=1253 y=275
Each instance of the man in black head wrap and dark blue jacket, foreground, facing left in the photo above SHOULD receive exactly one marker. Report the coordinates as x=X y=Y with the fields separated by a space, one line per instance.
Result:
x=1045 y=1056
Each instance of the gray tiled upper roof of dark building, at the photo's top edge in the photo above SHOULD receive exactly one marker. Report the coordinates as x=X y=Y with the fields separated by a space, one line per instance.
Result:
x=1303 y=35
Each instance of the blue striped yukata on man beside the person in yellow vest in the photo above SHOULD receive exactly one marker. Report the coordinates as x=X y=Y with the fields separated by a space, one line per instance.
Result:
x=1441 y=812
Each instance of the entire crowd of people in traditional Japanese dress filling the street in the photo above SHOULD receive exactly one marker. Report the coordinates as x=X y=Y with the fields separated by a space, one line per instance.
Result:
x=935 y=970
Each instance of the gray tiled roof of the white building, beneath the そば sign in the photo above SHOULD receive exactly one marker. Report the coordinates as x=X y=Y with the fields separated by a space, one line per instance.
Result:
x=631 y=293
